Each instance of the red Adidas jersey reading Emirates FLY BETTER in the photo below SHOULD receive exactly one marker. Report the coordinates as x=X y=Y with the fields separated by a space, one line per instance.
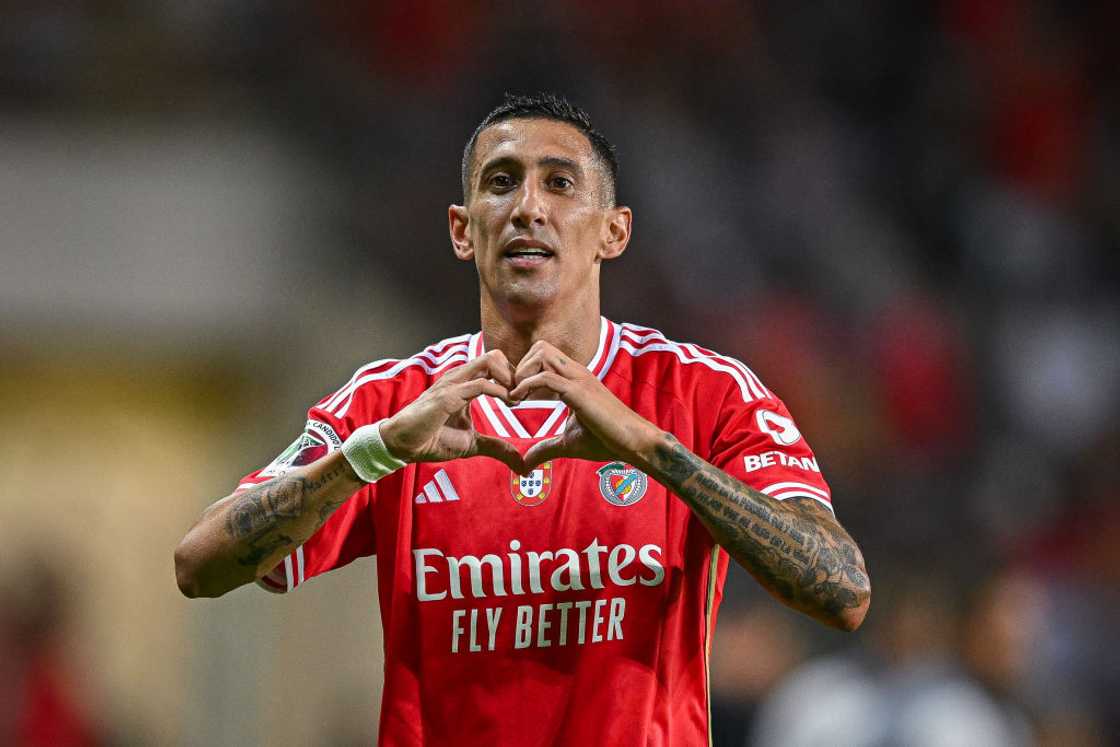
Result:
x=574 y=606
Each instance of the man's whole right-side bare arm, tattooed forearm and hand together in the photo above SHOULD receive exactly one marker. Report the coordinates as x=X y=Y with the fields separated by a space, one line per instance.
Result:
x=795 y=548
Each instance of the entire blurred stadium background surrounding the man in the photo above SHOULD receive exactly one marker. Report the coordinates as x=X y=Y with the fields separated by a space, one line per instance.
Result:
x=904 y=217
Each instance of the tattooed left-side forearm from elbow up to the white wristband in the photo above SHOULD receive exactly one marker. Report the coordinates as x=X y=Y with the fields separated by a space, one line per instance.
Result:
x=242 y=537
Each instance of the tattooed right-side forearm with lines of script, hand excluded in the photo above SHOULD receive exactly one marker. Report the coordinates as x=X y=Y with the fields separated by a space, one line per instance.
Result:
x=795 y=548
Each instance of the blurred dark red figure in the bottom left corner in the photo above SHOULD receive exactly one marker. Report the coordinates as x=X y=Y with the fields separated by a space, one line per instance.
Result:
x=39 y=707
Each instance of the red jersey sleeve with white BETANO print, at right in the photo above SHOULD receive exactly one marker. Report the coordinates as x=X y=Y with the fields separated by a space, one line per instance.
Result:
x=758 y=443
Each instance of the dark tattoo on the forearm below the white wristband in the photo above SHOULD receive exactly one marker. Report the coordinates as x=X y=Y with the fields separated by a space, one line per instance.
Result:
x=266 y=518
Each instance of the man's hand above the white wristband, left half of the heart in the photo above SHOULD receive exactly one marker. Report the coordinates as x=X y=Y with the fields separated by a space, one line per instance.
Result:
x=437 y=426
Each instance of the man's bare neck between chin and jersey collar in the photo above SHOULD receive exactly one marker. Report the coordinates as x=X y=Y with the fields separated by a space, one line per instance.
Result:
x=576 y=332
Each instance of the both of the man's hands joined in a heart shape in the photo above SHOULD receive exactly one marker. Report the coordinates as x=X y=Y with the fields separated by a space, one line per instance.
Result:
x=437 y=426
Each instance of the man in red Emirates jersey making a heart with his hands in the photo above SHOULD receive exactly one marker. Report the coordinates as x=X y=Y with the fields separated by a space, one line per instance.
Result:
x=563 y=592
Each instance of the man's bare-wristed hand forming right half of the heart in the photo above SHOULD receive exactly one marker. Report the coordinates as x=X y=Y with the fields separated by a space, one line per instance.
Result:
x=601 y=427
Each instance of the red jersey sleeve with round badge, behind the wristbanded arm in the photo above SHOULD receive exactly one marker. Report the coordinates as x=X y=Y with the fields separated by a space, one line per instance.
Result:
x=347 y=536
